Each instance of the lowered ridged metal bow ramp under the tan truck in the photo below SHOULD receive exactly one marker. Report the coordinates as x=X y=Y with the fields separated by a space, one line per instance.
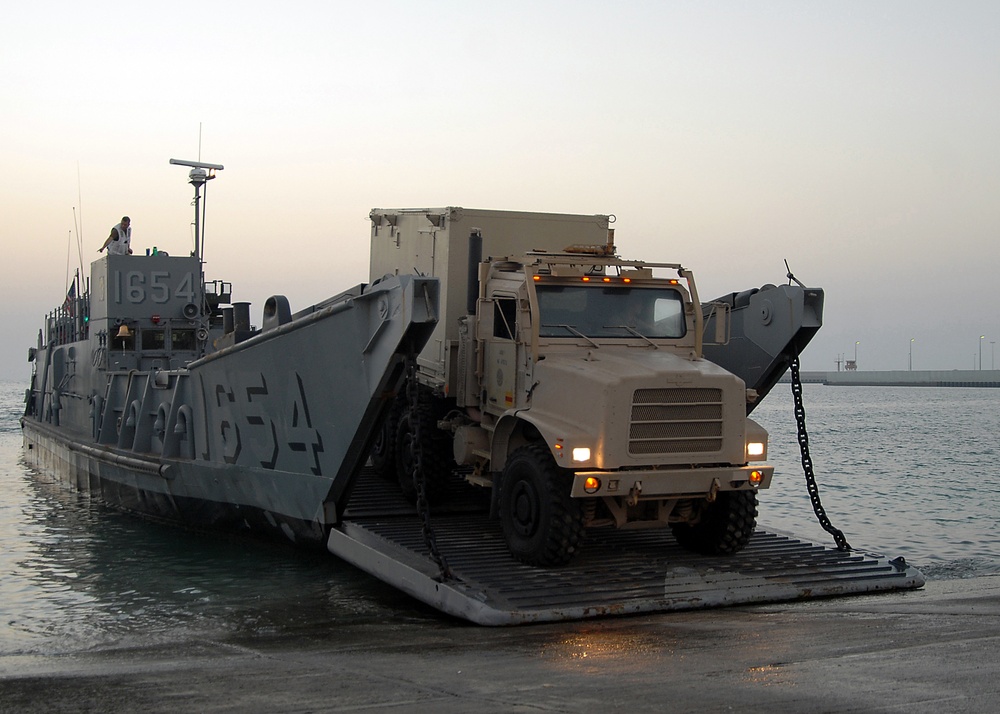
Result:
x=616 y=572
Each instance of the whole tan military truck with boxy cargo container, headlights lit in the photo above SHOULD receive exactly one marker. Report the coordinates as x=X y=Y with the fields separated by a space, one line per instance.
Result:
x=571 y=382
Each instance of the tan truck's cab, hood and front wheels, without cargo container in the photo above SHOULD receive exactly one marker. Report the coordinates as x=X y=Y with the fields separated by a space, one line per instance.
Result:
x=597 y=405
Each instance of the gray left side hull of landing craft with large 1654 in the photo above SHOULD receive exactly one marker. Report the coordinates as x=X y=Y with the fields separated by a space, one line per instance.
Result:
x=264 y=435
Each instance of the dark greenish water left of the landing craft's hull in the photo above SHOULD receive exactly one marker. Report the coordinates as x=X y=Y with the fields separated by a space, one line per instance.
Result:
x=76 y=574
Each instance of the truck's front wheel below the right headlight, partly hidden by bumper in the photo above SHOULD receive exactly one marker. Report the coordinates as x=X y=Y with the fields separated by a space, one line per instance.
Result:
x=725 y=526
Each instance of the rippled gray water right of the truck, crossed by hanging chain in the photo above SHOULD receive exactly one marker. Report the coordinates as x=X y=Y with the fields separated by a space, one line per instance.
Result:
x=903 y=471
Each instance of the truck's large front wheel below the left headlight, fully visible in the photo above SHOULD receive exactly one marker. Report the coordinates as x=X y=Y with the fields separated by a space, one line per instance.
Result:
x=541 y=523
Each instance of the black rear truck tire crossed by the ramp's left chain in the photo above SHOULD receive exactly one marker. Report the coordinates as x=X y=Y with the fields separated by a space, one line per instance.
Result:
x=434 y=447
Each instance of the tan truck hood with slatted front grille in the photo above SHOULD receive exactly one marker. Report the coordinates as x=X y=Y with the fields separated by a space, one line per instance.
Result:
x=637 y=406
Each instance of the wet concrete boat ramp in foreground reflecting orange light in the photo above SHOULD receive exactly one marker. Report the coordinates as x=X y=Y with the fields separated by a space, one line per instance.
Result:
x=934 y=649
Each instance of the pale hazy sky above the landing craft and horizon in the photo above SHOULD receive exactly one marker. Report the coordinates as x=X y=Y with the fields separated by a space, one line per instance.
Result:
x=858 y=140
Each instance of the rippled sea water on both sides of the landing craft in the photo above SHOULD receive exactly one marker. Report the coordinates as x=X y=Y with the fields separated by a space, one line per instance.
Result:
x=901 y=471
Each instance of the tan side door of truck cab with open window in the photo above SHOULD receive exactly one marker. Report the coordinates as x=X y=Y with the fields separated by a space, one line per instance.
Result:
x=501 y=376
